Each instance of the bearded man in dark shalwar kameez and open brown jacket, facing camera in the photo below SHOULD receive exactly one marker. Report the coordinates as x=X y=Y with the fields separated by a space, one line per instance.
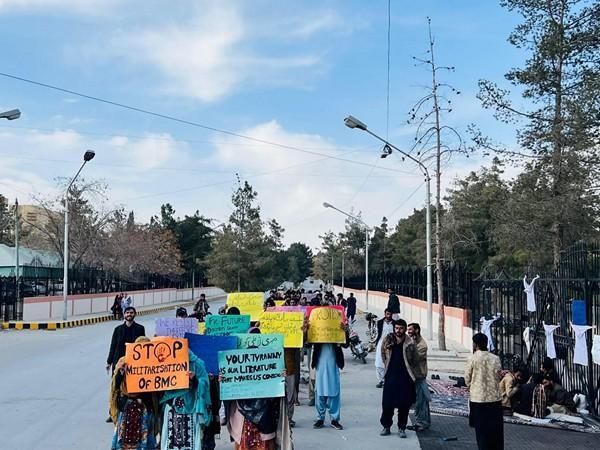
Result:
x=399 y=356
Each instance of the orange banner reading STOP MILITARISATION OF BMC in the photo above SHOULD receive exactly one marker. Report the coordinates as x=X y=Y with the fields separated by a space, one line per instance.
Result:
x=159 y=365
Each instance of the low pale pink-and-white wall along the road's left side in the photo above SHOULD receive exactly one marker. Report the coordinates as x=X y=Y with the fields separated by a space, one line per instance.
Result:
x=51 y=307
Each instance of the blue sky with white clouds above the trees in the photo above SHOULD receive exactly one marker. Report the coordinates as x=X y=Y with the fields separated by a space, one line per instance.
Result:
x=281 y=72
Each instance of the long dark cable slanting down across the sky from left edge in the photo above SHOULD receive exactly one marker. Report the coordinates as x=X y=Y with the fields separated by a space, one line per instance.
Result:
x=185 y=122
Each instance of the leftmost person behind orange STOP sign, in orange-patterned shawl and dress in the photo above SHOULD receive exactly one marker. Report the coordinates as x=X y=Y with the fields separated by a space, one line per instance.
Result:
x=136 y=416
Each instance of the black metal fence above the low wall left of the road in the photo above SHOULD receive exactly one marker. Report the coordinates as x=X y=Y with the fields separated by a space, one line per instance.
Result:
x=81 y=281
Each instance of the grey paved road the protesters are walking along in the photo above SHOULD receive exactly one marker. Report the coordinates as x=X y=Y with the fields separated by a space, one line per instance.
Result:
x=54 y=392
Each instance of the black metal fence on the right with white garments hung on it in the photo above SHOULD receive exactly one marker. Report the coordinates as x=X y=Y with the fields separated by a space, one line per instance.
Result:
x=578 y=277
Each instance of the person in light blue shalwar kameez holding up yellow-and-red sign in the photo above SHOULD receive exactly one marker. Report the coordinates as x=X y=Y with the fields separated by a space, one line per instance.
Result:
x=327 y=360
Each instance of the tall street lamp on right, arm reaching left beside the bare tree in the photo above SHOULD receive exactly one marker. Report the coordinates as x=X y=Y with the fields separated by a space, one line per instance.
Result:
x=353 y=122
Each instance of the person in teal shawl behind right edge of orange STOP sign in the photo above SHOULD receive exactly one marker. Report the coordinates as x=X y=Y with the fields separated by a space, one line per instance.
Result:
x=186 y=411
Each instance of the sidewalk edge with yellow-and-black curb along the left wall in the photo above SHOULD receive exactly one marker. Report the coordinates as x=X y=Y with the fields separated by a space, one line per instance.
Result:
x=91 y=319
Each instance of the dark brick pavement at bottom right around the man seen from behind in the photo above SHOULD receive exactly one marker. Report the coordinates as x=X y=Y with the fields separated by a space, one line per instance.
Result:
x=518 y=437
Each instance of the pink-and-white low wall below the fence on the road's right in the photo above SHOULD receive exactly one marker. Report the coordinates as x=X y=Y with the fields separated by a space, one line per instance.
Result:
x=412 y=310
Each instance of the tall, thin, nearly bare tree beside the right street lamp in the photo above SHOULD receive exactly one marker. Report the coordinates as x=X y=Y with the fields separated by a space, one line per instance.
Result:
x=435 y=143
